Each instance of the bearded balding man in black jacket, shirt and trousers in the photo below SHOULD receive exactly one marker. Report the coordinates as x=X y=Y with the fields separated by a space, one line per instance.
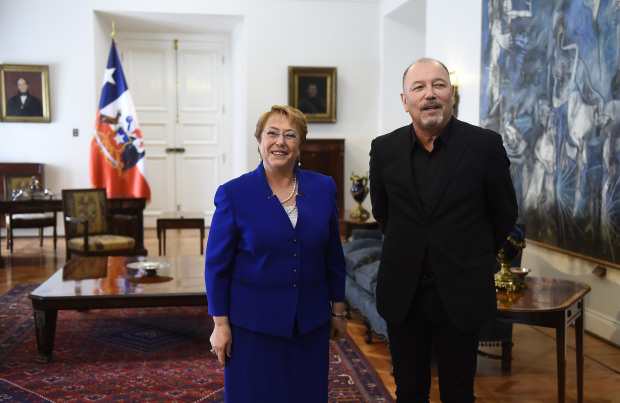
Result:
x=442 y=193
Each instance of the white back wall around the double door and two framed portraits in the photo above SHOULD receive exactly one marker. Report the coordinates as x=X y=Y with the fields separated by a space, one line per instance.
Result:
x=72 y=37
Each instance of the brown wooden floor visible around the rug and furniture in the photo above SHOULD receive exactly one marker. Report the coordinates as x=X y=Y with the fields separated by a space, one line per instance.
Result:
x=533 y=376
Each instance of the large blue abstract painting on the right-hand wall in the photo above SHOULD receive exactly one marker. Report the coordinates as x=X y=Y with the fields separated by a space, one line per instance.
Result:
x=550 y=85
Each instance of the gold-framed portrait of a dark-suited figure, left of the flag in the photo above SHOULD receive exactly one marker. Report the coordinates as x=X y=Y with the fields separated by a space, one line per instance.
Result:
x=24 y=93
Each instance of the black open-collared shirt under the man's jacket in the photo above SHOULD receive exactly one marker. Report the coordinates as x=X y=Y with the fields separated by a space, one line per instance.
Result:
x=425 y=166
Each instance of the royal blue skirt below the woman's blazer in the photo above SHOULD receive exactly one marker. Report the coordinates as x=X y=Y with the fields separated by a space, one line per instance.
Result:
x=272 y=369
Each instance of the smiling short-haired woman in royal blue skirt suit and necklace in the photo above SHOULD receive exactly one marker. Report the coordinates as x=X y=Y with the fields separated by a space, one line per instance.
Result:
x=275 y=272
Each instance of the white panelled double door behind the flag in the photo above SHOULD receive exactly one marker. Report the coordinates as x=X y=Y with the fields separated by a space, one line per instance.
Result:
x=180 y=91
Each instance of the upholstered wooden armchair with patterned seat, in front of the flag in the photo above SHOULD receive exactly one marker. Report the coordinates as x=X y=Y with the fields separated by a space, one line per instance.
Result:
x=90 y=230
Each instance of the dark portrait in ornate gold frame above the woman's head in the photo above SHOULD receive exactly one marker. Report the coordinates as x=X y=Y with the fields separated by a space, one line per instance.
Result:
x=312 y=90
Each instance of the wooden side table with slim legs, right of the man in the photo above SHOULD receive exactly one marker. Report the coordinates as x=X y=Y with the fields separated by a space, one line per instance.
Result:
x=550 y=303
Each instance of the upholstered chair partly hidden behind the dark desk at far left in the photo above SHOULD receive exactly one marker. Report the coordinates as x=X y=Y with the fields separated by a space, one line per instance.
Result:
x=24 y=185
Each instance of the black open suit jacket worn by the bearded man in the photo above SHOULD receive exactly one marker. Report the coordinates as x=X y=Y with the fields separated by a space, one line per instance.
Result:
x=474 y=209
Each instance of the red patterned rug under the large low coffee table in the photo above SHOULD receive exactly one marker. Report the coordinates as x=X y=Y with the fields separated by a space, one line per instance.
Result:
x=139 y=355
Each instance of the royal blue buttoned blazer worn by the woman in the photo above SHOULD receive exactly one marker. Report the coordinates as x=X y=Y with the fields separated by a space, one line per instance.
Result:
x=260 y=271
